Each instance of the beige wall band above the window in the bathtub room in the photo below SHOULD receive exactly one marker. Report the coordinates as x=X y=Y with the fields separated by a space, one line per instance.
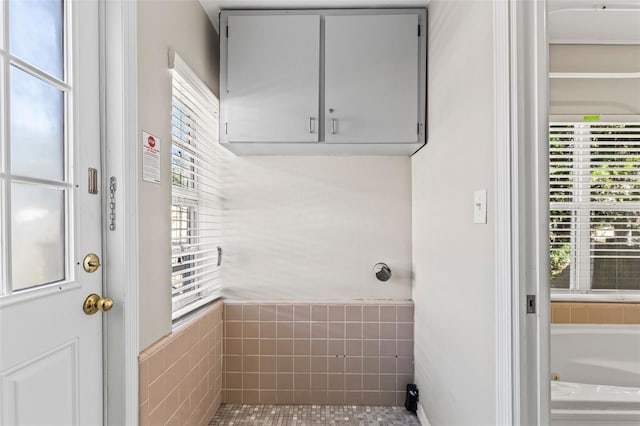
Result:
x=594 y=96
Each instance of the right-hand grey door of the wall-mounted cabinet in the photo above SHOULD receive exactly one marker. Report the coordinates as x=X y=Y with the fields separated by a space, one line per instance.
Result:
x=371 y=80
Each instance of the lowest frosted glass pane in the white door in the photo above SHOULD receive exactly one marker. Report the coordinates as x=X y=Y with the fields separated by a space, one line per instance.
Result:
x=37 y=235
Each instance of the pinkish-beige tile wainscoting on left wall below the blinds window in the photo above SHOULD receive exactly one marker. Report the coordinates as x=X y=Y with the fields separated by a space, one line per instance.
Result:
x=180 y=378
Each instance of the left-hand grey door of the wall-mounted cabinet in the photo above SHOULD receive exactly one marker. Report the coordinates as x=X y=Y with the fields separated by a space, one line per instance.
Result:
x=272 y=85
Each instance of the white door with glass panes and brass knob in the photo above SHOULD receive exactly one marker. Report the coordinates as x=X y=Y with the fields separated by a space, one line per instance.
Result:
x=50 y=350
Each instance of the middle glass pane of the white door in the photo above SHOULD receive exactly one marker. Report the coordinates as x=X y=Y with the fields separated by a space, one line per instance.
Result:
x=37 y=127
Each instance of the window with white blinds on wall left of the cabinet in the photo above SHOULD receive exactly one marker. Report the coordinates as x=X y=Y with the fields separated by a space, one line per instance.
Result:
x=196 y=192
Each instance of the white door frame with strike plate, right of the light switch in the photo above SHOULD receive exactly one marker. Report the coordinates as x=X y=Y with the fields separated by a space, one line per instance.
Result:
x=521 y=96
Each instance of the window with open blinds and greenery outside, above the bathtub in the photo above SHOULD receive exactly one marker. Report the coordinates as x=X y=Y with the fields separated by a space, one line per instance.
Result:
x=594 y=195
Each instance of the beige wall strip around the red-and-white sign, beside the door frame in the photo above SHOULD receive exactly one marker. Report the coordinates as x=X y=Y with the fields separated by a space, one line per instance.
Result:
x=183 y=26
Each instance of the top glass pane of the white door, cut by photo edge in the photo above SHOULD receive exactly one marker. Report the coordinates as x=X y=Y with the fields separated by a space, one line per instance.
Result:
x=36 y=33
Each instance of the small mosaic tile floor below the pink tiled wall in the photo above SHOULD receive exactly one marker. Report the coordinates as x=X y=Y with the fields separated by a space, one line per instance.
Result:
x=312 y=415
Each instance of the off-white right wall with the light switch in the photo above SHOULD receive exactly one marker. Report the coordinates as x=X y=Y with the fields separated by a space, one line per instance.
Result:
x=453 y=259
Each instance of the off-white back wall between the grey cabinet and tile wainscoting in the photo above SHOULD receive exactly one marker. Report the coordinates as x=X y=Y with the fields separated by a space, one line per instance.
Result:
x=306 y=228
